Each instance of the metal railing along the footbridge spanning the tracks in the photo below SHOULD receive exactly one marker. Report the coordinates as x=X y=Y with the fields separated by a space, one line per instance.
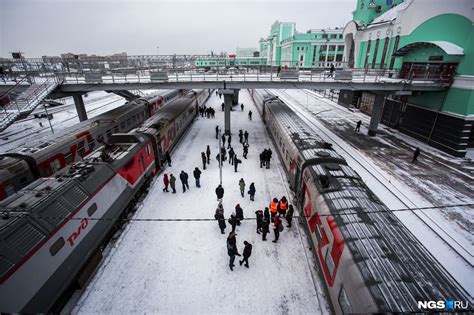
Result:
x=181 y=68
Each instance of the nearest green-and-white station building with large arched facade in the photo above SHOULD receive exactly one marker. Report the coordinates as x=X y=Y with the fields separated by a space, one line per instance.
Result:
x=430 y=39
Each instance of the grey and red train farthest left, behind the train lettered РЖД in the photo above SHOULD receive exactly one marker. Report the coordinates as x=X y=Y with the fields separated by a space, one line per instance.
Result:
x=44 y=158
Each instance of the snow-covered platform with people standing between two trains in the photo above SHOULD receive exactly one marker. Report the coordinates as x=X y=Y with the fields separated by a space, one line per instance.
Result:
x=175 y=264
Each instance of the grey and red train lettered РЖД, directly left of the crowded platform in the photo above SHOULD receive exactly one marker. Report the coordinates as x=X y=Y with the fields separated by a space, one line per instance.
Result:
x=53 y=230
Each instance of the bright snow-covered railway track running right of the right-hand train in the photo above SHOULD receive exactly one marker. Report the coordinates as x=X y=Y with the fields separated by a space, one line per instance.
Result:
x=438 y=230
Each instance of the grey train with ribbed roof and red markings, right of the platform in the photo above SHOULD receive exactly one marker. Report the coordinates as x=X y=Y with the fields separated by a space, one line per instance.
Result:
x=370 y=261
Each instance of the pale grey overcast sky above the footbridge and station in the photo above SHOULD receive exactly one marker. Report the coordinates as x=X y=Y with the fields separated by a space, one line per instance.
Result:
x=51 y=27
